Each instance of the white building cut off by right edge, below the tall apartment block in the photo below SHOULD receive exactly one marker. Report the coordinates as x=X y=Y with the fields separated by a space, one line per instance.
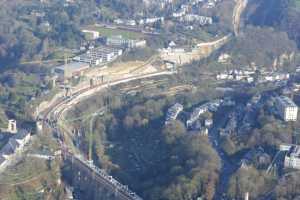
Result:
x=292 y=158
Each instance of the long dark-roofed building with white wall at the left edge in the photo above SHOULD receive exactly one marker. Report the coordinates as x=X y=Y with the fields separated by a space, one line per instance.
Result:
x=14 y=145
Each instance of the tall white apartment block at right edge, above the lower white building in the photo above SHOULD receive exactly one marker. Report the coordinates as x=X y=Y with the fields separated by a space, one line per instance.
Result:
x=286 y=108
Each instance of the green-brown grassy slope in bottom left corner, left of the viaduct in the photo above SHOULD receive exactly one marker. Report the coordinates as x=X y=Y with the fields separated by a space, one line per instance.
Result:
x=32 y=178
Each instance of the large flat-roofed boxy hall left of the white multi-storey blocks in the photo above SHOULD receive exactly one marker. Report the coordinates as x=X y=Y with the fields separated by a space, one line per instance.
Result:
x=70 y=70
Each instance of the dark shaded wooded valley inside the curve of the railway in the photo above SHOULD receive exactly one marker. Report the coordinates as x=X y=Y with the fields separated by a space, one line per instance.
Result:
x=132 y=142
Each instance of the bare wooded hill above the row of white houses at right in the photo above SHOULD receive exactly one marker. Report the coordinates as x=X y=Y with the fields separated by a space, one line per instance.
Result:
x=263 y=46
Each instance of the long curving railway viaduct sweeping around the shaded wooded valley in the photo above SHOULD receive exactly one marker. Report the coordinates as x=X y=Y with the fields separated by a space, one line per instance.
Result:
x=53 y=114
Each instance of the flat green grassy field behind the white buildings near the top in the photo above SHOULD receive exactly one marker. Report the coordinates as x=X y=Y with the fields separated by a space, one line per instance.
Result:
x=108 y=32
